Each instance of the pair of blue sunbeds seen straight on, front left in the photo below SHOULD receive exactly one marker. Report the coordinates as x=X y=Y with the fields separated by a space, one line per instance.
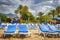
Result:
x=22 y=29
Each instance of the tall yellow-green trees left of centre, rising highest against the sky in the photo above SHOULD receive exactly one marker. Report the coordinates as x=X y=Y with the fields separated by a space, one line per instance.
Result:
x=24 y=12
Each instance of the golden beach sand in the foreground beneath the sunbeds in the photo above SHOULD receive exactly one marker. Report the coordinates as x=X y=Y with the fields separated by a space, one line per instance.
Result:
x=34 y=36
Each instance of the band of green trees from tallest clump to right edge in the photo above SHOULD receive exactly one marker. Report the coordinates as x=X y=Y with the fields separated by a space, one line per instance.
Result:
x=26 y=15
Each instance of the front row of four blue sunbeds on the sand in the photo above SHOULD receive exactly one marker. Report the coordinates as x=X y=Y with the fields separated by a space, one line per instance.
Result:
x=23 y=29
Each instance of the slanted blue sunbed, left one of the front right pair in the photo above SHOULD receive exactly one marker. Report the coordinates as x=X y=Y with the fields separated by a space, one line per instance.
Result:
x=46 y=30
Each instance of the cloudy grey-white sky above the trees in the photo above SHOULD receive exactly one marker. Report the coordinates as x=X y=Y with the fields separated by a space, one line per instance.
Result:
x=8 y=6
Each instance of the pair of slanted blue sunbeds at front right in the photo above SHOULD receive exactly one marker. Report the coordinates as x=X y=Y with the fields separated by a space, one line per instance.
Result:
x=48 y=29
